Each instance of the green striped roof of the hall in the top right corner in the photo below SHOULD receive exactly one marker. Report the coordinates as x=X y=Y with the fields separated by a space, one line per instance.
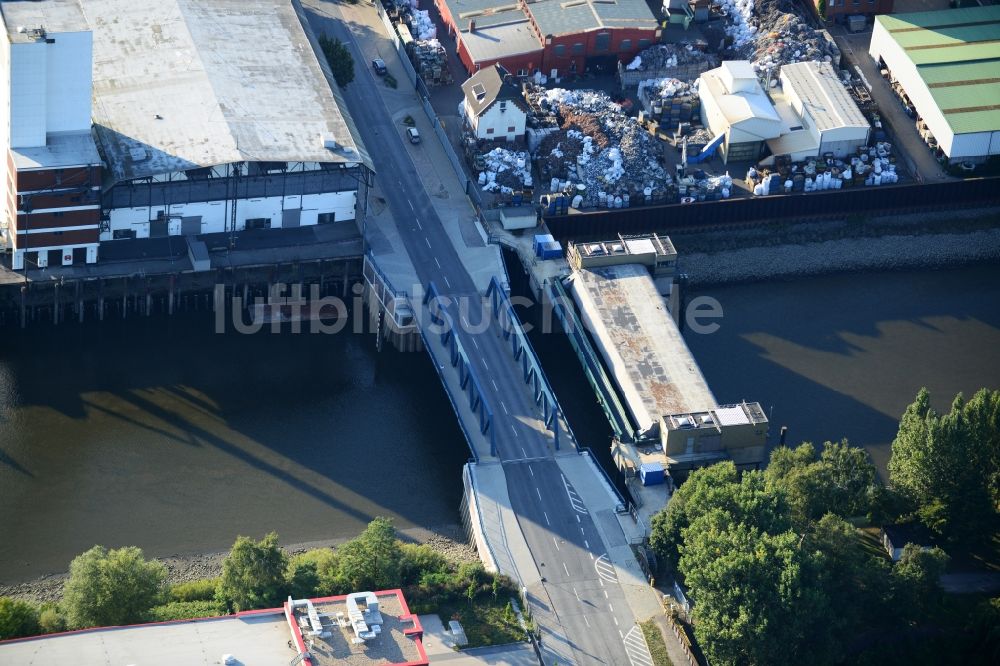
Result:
x=957 y=54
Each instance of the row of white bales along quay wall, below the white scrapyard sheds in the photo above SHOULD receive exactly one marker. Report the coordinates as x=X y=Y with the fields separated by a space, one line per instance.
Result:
x=871 y=166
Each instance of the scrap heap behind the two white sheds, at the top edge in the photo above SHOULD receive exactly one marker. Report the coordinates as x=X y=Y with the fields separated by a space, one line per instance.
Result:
x=770 y=34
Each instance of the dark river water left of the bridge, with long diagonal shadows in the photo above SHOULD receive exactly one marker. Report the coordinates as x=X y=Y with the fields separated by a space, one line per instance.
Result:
x=161 y=433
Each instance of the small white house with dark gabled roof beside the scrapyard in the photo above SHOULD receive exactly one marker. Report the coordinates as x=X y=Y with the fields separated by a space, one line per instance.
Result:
x=494 y=107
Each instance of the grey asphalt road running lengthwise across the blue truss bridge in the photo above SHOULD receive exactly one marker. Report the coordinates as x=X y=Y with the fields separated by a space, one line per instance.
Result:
x=579 y=606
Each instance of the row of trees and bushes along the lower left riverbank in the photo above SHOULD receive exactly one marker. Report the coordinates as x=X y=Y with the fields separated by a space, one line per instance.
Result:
x=115 y=587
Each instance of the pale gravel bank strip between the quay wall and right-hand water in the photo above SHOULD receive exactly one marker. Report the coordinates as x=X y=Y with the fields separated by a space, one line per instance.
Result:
x=891 y=252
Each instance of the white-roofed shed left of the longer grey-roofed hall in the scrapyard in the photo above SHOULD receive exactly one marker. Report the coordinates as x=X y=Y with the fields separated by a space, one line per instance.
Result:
x=734 y=104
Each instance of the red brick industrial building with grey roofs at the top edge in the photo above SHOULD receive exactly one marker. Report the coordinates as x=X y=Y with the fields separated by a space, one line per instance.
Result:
x=554 y=37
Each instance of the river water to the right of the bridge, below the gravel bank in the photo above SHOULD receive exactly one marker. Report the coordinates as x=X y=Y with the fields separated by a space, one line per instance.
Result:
x=843 y=355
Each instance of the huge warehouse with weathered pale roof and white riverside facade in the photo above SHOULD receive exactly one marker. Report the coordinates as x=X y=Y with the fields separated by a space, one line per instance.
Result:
x=217 y=116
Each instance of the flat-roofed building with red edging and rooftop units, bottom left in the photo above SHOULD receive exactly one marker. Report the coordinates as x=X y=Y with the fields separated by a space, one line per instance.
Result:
x=361 y=628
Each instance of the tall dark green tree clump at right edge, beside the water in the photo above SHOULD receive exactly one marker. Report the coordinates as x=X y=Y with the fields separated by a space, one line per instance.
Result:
x=947 y=465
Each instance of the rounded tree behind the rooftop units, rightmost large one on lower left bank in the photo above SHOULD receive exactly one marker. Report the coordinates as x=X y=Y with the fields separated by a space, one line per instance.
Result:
x=372 y=560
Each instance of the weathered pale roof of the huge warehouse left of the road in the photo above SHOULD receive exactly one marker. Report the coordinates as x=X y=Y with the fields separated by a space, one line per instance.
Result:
x=180 y=84
